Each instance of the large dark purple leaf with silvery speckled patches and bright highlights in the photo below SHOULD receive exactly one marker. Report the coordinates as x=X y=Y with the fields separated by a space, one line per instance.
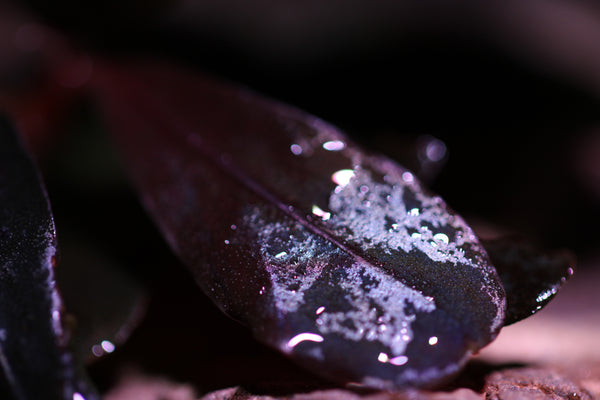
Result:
x=335 y=257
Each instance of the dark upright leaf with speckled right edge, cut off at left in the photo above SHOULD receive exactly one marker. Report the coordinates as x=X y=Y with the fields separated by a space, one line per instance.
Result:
x=33 y=343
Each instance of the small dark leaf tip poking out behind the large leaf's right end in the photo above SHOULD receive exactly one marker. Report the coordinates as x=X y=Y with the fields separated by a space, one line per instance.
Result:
x=531 y=277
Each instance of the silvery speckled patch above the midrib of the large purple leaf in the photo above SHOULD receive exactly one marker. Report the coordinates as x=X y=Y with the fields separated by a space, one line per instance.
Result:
x=376 y=215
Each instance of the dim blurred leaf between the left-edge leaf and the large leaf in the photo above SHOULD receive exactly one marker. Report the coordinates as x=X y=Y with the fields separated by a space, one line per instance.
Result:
x=106 y=302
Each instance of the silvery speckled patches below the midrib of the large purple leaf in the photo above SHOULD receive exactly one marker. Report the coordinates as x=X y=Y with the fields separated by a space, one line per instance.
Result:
x=376 y=303
